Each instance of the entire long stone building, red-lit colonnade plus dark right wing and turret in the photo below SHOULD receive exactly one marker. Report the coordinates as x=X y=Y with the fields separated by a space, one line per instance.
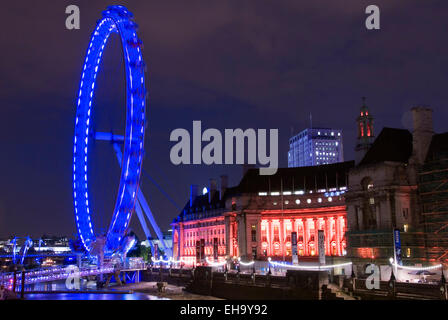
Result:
x=399 y=185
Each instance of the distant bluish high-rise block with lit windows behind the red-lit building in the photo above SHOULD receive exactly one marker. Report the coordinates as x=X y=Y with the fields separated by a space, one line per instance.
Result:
x=315 y=146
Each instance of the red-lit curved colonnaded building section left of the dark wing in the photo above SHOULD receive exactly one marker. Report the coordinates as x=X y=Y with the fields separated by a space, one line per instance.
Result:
x=255 y=219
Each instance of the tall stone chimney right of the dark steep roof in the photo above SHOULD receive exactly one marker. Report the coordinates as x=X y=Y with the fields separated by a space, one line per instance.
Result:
x=422 y=134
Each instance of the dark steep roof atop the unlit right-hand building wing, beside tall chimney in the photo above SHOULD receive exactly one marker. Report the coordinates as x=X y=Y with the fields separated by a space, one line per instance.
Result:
x=391 y=145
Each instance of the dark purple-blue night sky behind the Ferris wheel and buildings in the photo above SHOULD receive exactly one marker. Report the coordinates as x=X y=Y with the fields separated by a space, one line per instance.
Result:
x=230 y=64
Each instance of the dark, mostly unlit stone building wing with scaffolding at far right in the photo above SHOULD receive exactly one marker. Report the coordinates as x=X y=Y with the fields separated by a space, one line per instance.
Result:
x=399 y=185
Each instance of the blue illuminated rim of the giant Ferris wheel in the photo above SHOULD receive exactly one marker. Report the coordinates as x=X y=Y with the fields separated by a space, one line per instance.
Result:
x=119 y=20
